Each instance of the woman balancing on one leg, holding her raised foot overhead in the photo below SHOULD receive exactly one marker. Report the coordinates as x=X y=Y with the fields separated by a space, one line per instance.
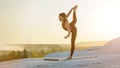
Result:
x=70 y=27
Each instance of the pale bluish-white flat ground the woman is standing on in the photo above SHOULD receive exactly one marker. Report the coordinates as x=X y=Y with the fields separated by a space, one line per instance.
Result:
x=90 y=58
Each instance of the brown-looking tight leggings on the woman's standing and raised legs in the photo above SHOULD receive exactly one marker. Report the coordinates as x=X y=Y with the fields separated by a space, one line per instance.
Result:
x=74 y=33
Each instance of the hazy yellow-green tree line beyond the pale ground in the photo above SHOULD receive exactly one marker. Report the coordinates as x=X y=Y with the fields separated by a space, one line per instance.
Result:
x=11 y=55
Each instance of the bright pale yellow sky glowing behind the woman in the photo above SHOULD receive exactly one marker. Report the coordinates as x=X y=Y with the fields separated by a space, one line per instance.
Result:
x=36 y=21
